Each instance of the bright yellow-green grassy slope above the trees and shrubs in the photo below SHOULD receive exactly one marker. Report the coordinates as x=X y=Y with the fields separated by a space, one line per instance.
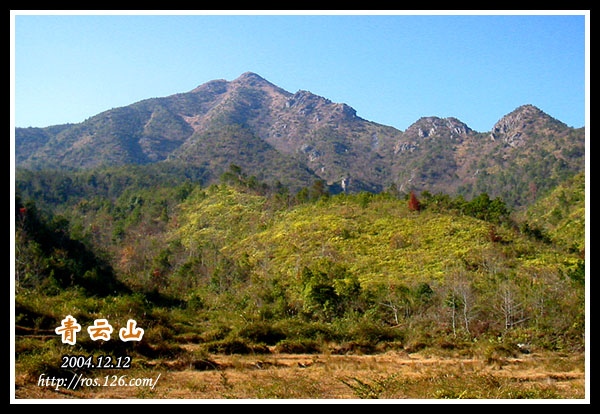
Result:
x=377 y=238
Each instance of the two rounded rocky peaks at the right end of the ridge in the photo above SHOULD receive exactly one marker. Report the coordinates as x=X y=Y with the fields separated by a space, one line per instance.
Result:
x=526 y=153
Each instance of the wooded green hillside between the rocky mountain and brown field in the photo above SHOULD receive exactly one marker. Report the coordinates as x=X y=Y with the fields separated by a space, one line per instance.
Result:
x=240 y=266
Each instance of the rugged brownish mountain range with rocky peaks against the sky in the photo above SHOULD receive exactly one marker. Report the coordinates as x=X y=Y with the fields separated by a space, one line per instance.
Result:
x=297 y=138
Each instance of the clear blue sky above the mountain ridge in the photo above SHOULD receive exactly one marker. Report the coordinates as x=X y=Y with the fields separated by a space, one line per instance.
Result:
x=393 y=69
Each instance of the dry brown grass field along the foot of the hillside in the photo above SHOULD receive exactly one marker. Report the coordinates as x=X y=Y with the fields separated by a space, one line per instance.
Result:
x=392 y=375
